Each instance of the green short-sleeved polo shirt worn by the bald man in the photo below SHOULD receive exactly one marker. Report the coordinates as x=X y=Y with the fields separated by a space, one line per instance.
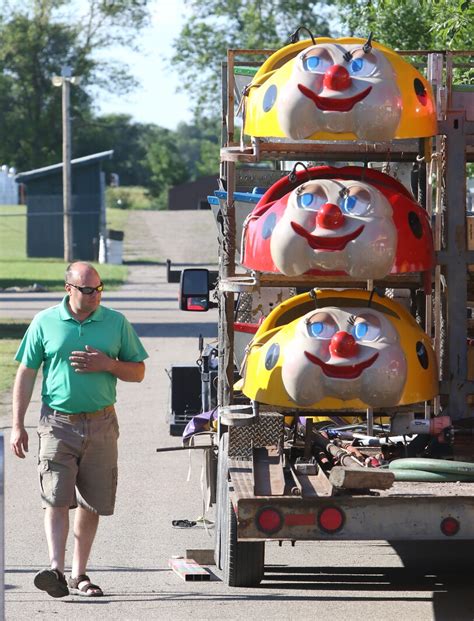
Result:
x=54 y=334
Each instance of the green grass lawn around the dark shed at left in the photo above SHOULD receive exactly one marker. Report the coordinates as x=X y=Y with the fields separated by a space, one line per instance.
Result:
x=17 y=270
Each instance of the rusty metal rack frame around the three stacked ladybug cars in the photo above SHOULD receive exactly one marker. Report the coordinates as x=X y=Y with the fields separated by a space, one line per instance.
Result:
x=456 y=131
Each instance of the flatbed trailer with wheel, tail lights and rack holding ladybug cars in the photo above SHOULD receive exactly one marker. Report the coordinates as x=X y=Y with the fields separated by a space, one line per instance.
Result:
x=261 y=495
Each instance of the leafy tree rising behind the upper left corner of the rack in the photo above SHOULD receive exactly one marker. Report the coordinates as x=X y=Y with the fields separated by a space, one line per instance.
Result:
x=213 y=26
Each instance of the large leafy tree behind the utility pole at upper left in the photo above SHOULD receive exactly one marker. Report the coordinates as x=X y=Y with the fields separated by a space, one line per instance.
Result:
x=39 y=37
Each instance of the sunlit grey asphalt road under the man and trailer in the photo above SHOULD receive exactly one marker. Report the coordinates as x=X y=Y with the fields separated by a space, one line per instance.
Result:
x=133 y=547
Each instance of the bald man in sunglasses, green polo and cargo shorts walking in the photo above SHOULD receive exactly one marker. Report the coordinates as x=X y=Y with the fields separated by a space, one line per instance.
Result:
x=84 y=348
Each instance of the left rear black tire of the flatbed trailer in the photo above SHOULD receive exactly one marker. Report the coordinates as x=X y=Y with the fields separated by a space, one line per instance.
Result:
x=243 y=563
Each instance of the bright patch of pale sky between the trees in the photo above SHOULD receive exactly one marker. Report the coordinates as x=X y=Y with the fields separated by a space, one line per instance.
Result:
x=156 y=100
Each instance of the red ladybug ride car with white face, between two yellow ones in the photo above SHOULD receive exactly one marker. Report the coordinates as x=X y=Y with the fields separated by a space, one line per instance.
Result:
x=343 y=221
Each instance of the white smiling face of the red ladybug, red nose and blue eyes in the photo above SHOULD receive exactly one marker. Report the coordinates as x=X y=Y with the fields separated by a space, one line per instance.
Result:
x=335 y=226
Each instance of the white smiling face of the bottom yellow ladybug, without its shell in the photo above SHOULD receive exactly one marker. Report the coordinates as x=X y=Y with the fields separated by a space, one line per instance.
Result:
x=344 y=354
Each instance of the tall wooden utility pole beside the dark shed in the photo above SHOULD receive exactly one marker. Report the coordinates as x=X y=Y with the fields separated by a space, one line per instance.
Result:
x=65 y=80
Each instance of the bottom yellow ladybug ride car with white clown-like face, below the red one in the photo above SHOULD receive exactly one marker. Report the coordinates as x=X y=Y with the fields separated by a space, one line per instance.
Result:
x=340 y=350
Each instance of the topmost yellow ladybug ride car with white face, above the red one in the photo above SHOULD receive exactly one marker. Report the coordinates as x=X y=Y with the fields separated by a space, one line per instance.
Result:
x=338 y=89
